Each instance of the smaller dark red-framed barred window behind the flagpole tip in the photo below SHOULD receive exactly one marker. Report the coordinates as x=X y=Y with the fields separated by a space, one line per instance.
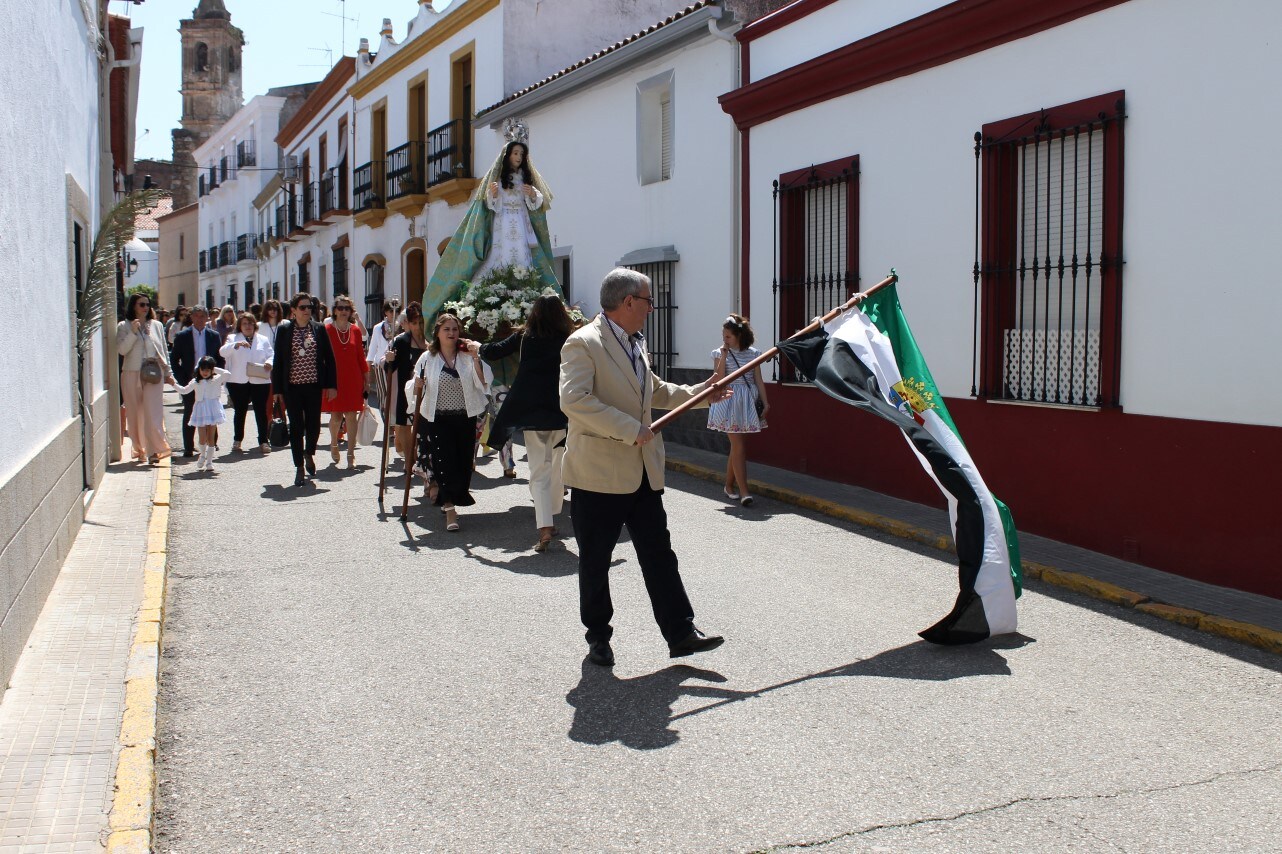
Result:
x=817 y=247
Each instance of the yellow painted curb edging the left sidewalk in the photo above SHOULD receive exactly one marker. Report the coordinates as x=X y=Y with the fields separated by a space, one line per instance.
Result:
x=134 y=805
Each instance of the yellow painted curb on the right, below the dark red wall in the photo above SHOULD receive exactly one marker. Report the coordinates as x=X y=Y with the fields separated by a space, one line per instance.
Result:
x=1249 y=634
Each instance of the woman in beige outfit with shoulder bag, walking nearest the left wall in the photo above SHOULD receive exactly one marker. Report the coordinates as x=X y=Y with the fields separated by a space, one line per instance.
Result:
x=140 y=338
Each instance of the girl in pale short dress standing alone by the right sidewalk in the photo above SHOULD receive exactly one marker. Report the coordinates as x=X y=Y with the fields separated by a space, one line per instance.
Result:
x=739 y=415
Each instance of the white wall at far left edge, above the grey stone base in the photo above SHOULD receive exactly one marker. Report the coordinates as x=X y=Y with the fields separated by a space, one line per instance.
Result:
x=51 y=133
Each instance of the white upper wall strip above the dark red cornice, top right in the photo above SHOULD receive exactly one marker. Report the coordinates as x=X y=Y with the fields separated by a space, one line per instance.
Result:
x=830 y=29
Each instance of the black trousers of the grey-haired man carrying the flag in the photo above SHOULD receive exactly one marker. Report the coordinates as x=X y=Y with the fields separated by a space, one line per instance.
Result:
x=599 y=519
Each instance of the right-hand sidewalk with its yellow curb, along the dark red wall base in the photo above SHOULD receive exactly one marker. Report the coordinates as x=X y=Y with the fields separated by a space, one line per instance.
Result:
x=1231 y=614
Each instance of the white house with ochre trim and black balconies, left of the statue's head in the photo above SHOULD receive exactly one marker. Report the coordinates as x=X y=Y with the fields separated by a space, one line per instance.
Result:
x=417 y=151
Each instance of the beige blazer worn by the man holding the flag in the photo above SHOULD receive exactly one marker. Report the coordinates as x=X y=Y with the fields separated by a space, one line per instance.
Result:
x=607 y=407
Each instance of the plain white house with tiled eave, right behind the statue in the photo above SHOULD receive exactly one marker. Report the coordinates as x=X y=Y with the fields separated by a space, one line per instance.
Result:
x=644 y=169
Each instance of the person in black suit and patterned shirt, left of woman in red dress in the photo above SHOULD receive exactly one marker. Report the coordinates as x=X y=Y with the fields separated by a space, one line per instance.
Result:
x=302 y=373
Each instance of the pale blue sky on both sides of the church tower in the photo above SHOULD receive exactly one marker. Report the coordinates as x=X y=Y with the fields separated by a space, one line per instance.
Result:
x=287 y=42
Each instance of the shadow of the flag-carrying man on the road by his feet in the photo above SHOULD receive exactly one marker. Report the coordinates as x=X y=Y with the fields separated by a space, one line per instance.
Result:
x=638 y=712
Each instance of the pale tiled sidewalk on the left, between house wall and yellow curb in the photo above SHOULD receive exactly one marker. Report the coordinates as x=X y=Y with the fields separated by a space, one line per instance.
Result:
x=61 y=716
